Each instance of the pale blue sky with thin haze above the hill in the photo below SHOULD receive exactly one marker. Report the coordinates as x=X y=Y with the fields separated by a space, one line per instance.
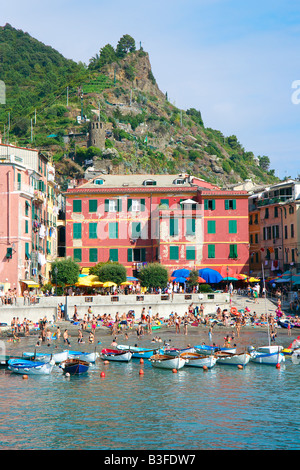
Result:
x=235 y=61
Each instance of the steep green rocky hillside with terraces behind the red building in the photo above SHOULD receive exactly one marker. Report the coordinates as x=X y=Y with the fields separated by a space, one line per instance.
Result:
x=45 y=94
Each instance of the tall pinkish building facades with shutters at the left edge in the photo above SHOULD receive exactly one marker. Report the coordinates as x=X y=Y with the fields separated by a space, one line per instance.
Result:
x=28 y=217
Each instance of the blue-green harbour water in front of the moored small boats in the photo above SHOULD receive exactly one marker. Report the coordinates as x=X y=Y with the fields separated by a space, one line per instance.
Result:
x=223 y=408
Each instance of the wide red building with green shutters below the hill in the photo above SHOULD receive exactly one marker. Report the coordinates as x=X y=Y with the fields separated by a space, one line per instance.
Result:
x=177 y=220
